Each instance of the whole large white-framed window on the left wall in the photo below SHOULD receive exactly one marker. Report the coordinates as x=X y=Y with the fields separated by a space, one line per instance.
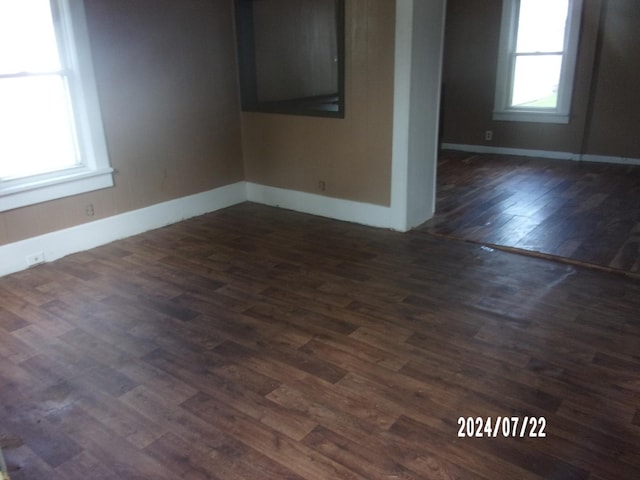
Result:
x=51 y=137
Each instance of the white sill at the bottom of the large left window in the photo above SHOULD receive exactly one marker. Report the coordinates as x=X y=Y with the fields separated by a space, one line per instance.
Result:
x=43 y=188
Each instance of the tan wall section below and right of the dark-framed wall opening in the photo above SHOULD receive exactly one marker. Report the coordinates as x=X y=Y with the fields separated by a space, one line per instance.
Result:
x=351 y=155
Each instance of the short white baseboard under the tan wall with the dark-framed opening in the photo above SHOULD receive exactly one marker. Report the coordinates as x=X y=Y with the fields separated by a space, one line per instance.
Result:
x=339 y=209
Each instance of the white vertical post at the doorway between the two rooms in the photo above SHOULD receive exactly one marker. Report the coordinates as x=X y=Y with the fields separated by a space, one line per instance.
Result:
x=418 y=73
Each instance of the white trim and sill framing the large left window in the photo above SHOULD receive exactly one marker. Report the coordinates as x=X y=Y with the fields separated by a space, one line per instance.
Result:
x=95 y=171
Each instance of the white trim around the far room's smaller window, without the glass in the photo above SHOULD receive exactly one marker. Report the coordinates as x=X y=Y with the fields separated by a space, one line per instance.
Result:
x=560 y=114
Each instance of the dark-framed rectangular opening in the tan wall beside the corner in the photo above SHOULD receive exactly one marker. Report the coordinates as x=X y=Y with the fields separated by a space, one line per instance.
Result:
x=291 y=56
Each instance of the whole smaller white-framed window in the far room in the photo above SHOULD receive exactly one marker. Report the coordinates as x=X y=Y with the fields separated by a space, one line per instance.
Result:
x=537 y=59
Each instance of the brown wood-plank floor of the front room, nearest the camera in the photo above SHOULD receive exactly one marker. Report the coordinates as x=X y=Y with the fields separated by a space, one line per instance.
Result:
x=257 y=343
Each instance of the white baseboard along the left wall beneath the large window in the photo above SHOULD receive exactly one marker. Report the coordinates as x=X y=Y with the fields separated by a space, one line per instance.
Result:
x=64 y=242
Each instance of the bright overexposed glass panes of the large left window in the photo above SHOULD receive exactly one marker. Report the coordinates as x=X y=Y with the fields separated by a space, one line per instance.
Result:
x=36 y=121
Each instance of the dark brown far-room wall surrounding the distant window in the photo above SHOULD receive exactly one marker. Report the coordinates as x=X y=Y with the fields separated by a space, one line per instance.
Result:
x=606 y=107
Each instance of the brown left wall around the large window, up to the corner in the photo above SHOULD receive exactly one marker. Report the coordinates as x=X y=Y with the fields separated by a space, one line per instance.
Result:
x=167 y=84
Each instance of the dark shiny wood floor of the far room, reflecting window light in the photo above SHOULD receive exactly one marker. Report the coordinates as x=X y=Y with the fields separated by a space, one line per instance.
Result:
x=584 y=212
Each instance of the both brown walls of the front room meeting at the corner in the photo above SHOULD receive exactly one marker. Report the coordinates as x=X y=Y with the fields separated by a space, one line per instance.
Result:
x=167 y=82
